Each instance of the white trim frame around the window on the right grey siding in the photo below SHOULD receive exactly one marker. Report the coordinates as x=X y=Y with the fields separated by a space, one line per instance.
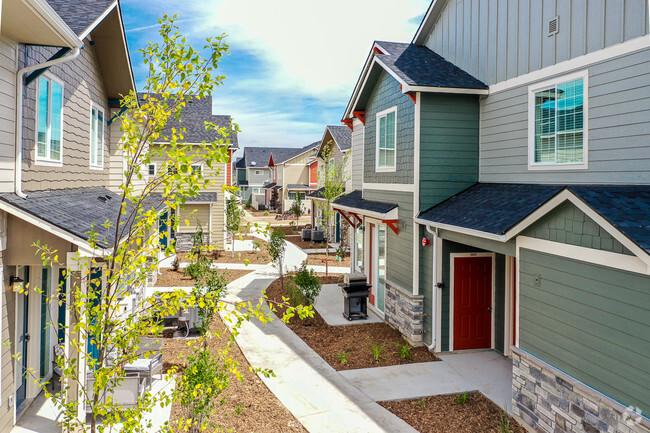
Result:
x=532 y=89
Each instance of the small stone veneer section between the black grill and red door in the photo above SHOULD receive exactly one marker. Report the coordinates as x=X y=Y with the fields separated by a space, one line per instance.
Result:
x=403 y=311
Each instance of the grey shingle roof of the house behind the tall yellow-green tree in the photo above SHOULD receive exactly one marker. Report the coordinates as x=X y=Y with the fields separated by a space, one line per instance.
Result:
x=193 y=118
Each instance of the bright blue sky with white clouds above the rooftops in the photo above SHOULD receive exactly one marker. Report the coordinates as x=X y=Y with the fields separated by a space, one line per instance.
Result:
x=293 y=63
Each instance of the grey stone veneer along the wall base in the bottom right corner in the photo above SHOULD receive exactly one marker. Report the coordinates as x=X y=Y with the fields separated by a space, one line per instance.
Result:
x=549 y=401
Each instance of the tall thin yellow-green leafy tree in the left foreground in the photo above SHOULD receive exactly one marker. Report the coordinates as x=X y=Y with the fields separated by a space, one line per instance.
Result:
x=100 y=337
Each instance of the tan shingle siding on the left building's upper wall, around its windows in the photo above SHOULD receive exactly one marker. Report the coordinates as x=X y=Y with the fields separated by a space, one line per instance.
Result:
x=82 y=84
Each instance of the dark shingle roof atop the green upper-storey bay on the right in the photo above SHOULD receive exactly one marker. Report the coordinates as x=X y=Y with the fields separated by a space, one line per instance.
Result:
x=419 y=66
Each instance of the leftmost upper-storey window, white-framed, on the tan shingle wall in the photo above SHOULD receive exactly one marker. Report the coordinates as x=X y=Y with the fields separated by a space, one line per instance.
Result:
x=49 y=121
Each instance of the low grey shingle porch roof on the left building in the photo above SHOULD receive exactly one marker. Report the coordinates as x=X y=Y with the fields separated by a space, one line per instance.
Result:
x=73 y=210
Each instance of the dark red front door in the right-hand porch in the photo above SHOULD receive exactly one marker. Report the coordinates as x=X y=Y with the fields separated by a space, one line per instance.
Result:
x=472 y=302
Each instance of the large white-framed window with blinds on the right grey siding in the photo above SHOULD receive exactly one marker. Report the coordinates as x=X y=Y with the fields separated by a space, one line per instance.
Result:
x=558 y=124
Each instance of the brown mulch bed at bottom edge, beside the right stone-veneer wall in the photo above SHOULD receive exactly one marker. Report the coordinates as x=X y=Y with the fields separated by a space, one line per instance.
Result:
x=441 y=414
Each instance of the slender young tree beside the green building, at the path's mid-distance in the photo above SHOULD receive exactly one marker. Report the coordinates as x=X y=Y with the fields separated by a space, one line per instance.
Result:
x=332 y=177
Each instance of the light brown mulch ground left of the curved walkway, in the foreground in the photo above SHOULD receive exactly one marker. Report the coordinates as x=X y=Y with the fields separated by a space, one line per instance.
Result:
x=249 y=405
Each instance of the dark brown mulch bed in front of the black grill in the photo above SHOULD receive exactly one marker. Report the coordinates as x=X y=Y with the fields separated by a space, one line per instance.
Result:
x=355 y=340
